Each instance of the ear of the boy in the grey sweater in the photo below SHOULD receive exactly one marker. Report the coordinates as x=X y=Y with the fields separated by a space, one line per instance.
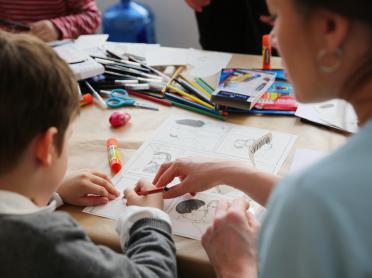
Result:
x=45 y=146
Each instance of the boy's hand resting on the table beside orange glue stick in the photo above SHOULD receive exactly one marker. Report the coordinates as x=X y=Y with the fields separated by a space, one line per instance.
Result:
x=87 y=188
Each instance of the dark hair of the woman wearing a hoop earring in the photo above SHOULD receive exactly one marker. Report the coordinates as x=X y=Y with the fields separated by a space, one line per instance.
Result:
x=354 y=10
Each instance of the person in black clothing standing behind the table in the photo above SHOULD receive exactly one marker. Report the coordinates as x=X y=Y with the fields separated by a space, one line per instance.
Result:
x=231 y=26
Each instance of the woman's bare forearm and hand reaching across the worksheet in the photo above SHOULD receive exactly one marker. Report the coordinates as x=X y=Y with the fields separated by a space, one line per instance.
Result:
x=197 y=175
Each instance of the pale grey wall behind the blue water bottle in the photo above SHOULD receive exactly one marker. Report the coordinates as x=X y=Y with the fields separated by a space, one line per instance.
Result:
x=175 y=22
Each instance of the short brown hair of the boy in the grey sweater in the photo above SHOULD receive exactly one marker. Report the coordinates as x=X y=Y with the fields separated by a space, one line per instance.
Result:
x=37 y=91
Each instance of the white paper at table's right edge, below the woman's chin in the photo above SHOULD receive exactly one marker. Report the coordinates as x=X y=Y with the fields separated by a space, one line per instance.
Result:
x=334 y=113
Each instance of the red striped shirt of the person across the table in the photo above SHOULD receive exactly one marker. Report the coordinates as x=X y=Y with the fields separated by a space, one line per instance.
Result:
x=71 y=17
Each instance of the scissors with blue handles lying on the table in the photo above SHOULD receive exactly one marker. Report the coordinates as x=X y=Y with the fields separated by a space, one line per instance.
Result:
x=119 y=98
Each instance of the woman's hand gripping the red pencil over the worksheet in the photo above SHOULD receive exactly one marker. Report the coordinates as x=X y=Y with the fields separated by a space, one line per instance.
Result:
x=195 y=175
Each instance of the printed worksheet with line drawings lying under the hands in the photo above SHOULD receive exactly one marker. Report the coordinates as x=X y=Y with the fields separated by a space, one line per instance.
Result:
x=185 y=136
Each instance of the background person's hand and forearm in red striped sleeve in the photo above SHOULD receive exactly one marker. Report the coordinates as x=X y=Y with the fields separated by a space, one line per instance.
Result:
x=84 y=18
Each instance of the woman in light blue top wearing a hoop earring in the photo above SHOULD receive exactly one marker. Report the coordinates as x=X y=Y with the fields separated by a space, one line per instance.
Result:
x=318 y=222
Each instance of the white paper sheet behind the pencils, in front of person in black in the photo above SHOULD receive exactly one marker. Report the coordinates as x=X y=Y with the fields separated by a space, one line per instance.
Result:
x=206 y=63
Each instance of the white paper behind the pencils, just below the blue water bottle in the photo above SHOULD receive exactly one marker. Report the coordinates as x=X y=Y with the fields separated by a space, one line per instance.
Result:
x=166 y=56
